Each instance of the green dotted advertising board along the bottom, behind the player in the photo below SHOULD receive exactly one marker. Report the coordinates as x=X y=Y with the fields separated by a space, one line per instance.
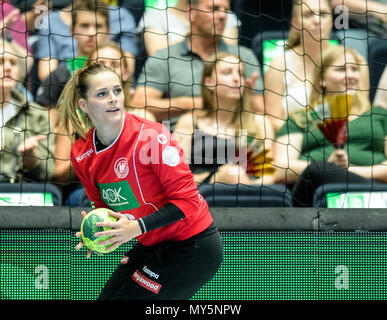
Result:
x=291 y=265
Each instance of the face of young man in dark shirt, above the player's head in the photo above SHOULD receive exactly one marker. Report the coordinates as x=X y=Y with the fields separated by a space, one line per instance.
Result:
x=90 y=29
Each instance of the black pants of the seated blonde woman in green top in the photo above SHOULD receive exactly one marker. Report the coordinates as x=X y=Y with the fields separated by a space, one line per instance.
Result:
x=317 y=174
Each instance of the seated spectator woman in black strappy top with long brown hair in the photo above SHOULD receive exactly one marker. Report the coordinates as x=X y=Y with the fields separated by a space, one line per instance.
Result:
x=212 y=137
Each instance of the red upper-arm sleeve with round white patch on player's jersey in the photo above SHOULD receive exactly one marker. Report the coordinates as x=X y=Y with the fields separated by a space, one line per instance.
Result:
x=168 y=162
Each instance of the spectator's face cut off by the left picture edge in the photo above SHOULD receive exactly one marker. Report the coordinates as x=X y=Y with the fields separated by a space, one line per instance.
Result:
x=9 y=67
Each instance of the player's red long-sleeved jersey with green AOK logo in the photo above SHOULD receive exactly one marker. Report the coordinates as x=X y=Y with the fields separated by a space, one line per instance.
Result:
x=140 y=172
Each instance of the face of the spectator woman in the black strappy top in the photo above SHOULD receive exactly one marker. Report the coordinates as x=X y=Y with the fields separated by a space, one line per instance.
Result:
x=227 y=79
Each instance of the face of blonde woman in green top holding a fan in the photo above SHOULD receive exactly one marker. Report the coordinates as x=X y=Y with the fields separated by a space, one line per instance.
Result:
x=343 y=76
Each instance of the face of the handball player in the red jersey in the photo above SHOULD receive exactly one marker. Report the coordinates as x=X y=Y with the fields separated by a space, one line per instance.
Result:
x=105 y=99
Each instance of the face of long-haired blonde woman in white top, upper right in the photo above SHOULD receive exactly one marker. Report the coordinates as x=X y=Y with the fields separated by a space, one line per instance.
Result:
x=315 y=20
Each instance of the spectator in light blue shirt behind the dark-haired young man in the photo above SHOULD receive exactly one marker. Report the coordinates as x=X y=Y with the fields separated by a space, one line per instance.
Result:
x=55 y=43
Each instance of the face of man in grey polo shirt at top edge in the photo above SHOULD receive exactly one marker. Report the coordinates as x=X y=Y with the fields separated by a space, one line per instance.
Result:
x=209 y=17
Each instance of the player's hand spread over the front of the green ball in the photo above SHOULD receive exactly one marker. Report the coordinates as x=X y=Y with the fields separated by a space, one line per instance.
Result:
x=123 y=230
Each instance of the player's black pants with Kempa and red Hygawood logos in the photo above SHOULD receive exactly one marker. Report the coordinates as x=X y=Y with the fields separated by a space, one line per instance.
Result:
x=166 y=271
